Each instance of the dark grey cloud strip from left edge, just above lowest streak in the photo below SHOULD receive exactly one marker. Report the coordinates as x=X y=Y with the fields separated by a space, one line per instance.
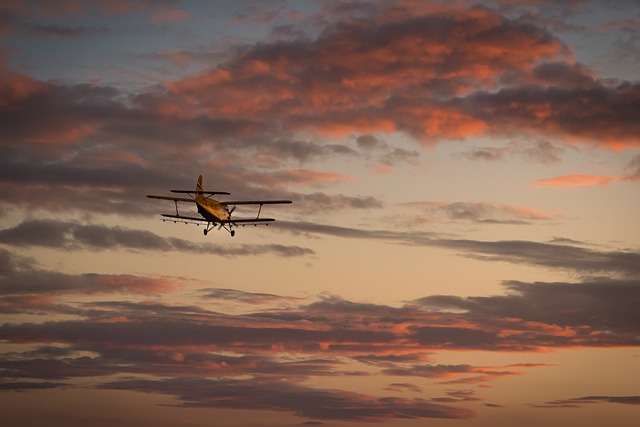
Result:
x=108 y=360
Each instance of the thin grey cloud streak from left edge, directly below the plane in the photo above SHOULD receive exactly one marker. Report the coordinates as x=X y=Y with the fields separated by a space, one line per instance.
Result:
x=70 y=235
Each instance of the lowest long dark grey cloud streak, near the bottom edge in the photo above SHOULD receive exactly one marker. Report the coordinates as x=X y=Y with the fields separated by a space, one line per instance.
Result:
x=261 y=394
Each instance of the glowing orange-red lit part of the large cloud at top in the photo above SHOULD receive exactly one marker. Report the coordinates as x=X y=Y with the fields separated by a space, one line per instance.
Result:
x=348 y=81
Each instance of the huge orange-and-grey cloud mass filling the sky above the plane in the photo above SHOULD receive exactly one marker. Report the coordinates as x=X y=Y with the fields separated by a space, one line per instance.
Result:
x=436 y=75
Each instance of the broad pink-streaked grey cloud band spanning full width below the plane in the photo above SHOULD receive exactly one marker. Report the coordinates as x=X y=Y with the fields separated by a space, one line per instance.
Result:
x=389 y=338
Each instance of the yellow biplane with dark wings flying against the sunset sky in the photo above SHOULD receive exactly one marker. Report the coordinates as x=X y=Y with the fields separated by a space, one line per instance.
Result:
x=214 y=212
